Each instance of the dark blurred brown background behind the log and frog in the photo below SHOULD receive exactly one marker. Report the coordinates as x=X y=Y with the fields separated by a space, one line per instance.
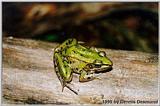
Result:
x=127 y=26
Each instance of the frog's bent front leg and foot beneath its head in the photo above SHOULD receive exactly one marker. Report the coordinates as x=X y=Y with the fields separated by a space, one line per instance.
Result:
x=85 y=76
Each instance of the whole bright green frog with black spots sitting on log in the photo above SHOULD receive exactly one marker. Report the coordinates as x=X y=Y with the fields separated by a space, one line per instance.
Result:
x=73 y=57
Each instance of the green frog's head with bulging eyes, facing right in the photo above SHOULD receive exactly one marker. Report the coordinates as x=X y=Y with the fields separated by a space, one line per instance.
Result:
x=101 y=64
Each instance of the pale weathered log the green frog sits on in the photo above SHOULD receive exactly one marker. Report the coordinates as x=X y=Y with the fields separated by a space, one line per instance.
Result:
x=28 y=76
